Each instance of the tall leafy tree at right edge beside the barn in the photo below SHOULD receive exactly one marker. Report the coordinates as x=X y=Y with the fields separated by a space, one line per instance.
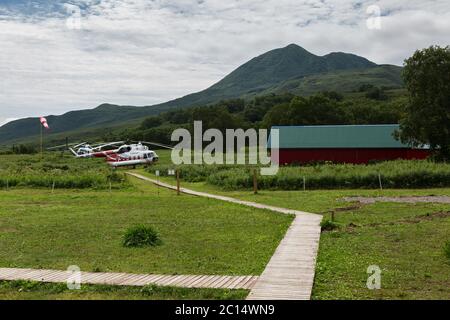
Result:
x=427 y=114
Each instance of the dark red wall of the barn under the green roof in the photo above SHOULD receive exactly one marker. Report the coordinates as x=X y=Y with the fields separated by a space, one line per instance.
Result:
x=340 y=155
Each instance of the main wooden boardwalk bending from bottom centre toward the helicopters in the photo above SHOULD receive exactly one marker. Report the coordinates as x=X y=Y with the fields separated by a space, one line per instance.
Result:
x=289 y=275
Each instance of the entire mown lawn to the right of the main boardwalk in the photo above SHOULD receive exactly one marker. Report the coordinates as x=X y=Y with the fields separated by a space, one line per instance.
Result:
x=405 y=240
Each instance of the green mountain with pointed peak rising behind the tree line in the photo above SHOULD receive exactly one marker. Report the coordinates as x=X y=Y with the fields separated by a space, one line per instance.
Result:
x=290 y=69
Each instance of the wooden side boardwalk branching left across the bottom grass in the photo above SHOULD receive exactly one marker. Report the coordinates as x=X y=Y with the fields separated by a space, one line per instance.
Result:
x=128 y=279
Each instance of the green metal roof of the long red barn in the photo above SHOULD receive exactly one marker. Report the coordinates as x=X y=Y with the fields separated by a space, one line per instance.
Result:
x=342 y=136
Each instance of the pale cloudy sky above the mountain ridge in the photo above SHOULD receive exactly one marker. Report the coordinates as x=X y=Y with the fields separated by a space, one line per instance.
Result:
x=56 y=58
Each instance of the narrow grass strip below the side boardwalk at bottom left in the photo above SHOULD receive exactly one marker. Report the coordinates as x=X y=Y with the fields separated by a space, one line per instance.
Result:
x=26 y=290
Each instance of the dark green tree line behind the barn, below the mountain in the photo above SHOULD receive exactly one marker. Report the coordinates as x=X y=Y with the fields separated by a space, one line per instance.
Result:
x=326 y=108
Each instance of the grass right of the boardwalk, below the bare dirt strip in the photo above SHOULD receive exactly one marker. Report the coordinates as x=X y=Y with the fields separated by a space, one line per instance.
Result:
x=406 y=241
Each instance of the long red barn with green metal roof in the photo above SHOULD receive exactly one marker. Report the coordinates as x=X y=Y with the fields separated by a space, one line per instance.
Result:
x=342 y=144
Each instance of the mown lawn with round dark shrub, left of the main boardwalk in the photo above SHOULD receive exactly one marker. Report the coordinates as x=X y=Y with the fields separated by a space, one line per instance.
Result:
x=81 y=227
